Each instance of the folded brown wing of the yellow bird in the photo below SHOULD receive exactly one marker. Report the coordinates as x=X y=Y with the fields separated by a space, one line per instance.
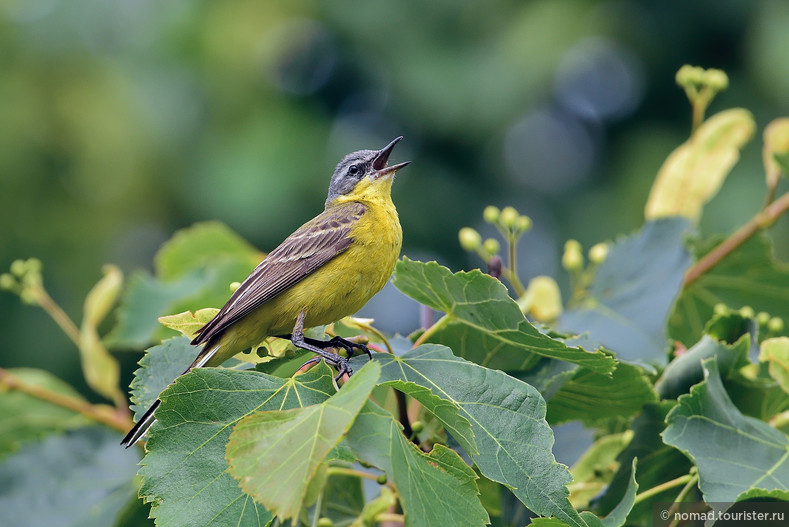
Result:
x=311 y=246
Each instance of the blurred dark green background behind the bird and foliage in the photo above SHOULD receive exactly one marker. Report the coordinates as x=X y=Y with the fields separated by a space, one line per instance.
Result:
x=122 y=121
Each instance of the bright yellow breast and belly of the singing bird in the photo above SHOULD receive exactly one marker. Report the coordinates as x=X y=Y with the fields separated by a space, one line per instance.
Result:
x=339 y=288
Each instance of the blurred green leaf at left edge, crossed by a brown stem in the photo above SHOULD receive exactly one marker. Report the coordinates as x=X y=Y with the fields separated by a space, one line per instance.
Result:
x=24 y=418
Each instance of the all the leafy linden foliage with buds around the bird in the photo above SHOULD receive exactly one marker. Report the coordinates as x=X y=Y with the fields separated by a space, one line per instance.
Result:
x=671 y=348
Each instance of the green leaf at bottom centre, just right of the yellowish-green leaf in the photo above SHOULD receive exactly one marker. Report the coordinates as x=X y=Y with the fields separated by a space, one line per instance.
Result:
x=435 y=489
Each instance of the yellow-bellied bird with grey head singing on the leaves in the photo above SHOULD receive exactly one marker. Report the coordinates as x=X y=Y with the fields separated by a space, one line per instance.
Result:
x=327 y=269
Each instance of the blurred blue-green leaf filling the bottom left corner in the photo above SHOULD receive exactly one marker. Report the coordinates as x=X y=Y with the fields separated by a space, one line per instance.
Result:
x=79 y=479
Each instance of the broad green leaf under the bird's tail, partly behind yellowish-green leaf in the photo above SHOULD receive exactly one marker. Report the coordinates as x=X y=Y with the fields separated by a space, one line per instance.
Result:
x=185 y=472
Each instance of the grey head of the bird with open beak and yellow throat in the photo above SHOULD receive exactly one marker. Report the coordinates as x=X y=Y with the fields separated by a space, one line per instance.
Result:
x=363 y=172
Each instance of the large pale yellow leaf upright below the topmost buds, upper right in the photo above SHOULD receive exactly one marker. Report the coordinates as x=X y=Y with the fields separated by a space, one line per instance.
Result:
x=695 y=171
